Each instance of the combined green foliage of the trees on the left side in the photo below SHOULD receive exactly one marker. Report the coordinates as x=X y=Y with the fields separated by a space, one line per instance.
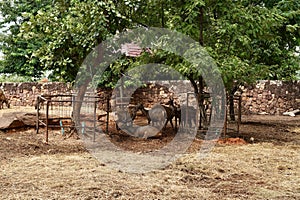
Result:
x=56 y=35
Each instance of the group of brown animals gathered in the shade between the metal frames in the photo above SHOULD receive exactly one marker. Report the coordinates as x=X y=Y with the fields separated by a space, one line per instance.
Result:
x=157 y=117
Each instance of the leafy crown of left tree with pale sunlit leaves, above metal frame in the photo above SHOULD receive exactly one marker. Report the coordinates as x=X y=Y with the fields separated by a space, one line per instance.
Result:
x=72 y=29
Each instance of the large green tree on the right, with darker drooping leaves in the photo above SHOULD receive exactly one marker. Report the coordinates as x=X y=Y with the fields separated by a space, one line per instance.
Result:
x=249 y=40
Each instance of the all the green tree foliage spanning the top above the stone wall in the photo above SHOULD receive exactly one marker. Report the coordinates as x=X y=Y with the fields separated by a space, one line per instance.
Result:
x=249 y=40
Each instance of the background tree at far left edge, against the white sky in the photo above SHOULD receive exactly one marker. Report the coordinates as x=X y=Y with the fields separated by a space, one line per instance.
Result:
x=17 y=50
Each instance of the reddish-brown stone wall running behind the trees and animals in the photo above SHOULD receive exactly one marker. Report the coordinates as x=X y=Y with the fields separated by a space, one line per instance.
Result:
x=271 y=97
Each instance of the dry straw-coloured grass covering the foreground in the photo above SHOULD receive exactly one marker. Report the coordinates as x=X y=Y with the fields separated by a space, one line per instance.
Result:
x=258 y=171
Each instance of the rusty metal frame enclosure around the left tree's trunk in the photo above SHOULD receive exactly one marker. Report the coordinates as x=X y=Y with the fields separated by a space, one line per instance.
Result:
x=56 y=111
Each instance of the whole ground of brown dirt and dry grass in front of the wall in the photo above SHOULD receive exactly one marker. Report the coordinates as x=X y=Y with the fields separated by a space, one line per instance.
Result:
x=266 y=168
